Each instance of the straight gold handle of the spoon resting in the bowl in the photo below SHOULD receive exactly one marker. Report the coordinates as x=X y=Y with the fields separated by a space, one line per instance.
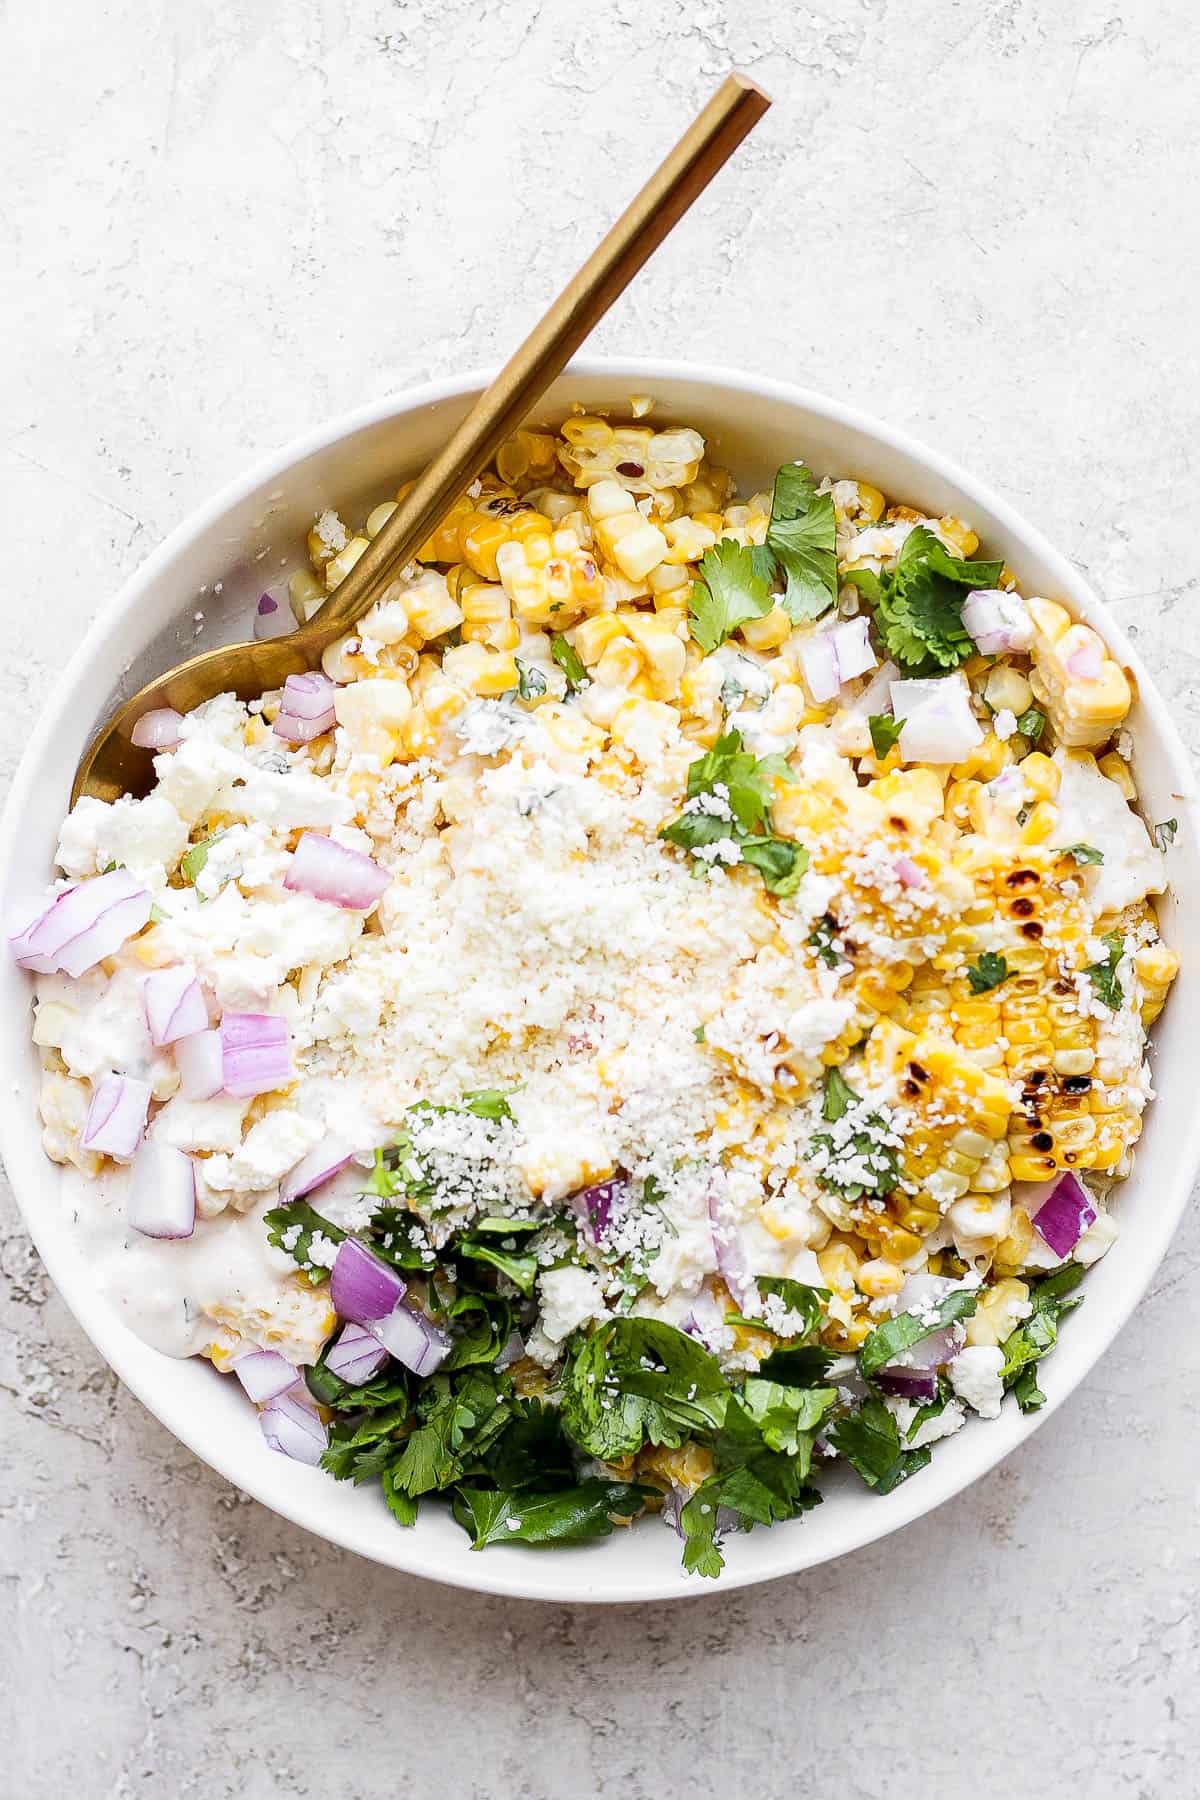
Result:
x=685 y=174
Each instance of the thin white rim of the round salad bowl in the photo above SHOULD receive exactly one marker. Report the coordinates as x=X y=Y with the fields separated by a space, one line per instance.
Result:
x=782 y=1554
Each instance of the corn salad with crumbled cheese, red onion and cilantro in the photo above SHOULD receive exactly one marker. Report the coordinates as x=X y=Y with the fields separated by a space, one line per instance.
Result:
x=668 y=994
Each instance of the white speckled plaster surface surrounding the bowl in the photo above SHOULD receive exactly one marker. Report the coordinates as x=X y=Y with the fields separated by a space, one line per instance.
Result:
x=228 y=219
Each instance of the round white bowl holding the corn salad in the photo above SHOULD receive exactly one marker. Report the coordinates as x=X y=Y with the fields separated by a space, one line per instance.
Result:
x=246 y=539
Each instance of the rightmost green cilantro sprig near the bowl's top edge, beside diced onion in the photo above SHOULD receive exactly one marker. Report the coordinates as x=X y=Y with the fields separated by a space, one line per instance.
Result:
x=920 y=604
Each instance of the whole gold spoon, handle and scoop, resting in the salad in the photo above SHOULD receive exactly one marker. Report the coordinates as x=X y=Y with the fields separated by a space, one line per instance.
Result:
x=114 y=766
